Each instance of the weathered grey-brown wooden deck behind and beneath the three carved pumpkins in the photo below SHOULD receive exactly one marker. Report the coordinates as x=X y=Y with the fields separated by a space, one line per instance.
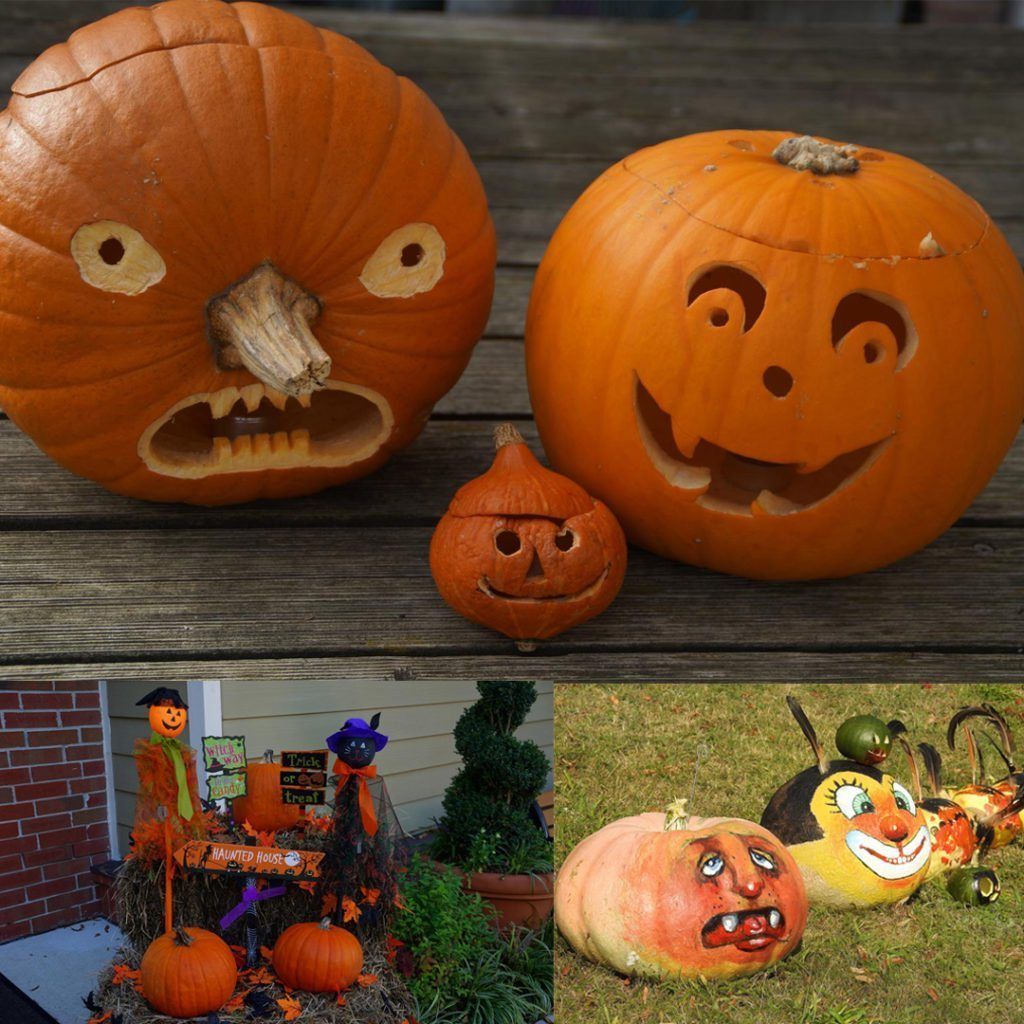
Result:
x=92 y=584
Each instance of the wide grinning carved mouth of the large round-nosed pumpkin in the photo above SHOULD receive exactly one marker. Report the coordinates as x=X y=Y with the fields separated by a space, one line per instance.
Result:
x=730 y=482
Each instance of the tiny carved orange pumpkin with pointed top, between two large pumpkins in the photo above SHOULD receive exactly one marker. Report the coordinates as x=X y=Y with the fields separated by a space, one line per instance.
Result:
x=526 y=551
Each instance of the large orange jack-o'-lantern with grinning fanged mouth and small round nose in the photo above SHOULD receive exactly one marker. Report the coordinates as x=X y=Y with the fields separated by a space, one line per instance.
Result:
x=778 y=359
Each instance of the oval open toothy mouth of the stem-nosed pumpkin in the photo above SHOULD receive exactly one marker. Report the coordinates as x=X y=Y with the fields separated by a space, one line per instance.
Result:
x=239 y=431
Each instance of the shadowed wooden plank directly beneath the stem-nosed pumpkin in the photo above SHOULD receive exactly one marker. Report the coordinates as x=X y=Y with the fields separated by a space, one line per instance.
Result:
x=413 y=490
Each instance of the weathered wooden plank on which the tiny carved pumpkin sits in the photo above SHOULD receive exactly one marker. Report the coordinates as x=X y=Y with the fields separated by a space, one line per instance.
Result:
x=255 y=593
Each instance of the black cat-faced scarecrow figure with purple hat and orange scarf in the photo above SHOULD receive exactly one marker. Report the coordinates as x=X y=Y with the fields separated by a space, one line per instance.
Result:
x=366 y=831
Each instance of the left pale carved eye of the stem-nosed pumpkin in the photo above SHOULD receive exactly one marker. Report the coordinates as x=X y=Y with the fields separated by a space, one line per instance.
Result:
x=115 y=258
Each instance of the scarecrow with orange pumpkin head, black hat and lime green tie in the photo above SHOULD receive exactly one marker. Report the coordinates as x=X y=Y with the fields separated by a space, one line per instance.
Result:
x=168 y=813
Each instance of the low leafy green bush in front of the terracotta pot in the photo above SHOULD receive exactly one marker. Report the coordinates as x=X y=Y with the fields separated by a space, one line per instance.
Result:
x=463 y=971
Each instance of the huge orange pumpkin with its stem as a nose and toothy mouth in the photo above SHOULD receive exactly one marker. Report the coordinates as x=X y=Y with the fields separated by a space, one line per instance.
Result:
x=239 y=258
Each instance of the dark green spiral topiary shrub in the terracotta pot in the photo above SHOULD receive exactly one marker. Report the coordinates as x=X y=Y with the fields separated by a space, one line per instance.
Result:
x=487 y=825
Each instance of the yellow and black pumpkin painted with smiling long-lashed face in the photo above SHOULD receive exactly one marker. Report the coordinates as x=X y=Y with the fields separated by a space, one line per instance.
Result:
x=857 y=833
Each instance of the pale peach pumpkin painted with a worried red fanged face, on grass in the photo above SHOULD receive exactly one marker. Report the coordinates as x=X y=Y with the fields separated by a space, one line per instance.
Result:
x=671 y=897
